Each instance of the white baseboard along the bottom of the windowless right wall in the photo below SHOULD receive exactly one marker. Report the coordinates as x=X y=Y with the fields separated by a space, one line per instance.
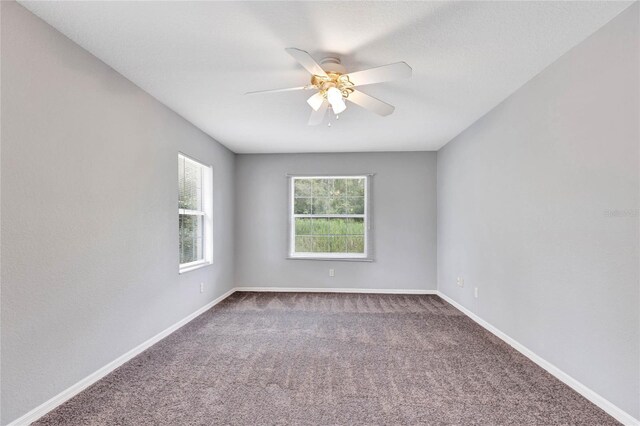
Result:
x=611 y=409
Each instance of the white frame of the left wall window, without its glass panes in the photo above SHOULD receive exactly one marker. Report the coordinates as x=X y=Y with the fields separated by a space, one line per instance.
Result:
x=207 y=213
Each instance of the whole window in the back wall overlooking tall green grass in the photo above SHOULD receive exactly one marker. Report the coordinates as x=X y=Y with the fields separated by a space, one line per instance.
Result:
x=328 y=217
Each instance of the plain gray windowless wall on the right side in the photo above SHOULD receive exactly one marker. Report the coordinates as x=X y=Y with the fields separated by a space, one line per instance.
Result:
x=523 y=197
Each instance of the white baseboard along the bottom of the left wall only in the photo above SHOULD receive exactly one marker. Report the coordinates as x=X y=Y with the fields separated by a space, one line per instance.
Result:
x=75 y=389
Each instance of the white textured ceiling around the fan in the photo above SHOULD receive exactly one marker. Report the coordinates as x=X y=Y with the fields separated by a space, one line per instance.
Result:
x=199 y=58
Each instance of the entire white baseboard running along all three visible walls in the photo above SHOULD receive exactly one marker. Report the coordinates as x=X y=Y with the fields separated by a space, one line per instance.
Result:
x=67 y=394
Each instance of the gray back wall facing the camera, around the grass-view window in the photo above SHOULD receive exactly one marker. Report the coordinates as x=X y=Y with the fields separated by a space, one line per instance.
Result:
x=404 y=221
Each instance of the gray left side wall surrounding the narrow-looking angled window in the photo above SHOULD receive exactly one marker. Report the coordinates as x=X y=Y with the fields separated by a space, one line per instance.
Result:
x=89 y=220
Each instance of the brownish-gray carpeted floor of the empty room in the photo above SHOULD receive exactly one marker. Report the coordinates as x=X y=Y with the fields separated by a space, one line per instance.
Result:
x=329 y=359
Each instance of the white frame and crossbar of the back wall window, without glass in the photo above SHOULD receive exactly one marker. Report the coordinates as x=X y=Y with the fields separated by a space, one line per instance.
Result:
x=367 y=256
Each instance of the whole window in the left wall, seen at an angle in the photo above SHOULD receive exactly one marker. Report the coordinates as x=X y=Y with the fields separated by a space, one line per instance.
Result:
x=194 y=213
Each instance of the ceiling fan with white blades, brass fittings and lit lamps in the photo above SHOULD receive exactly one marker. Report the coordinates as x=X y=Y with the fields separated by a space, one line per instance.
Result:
x=334 y=85
